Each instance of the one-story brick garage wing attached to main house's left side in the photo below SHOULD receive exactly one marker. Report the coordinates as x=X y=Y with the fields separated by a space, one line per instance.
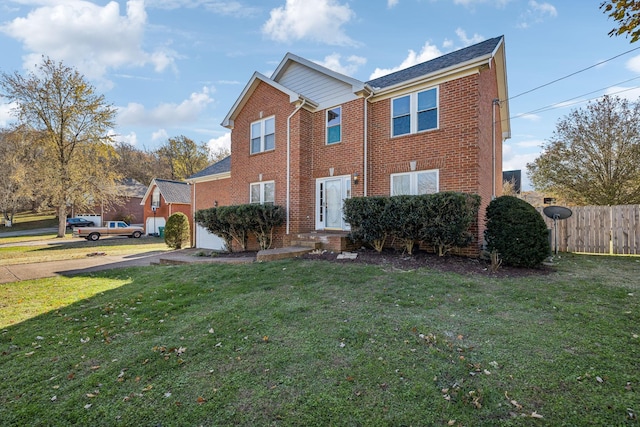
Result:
x=210 y=188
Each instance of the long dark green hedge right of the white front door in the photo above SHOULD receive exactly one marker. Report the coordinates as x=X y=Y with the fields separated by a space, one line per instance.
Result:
x=440 y=220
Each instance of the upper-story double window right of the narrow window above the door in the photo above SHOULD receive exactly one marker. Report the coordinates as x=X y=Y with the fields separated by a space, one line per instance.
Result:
x=415 y=112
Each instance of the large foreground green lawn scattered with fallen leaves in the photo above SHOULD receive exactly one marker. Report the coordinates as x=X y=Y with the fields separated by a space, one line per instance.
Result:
x=303 y=343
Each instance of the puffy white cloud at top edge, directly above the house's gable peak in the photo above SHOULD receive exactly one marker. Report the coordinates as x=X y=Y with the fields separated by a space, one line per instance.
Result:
x=318 y=20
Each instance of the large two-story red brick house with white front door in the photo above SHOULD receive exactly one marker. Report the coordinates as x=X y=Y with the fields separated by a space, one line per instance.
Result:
x=308 y=137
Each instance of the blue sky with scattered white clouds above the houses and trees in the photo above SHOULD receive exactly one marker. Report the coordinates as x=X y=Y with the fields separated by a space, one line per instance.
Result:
x=175 y=67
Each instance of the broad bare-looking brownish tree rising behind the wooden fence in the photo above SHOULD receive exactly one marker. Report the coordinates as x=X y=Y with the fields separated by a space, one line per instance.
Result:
x=594 y=155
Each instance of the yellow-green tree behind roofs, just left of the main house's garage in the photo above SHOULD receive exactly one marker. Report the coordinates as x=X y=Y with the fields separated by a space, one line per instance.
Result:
x=184 y=156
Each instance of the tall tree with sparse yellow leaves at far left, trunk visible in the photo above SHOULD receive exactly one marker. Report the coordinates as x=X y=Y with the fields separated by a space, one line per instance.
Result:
x=73 y=124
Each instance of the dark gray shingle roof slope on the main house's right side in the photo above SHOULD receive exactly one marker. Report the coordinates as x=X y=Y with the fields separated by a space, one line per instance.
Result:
x=445 y=61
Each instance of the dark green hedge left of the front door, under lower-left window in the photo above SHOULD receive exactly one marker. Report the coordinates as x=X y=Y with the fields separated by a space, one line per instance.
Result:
x=237 y=222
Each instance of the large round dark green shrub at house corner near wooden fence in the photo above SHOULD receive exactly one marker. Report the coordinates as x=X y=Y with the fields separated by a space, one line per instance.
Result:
x=517 y=232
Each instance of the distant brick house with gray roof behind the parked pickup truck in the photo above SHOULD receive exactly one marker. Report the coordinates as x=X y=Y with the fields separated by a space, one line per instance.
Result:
x=130 y=194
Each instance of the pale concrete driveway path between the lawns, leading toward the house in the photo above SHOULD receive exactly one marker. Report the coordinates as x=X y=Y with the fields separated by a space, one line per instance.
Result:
x=19 y=272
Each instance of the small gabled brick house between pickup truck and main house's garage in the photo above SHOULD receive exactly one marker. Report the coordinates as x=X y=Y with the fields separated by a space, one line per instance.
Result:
x=162 y=199
